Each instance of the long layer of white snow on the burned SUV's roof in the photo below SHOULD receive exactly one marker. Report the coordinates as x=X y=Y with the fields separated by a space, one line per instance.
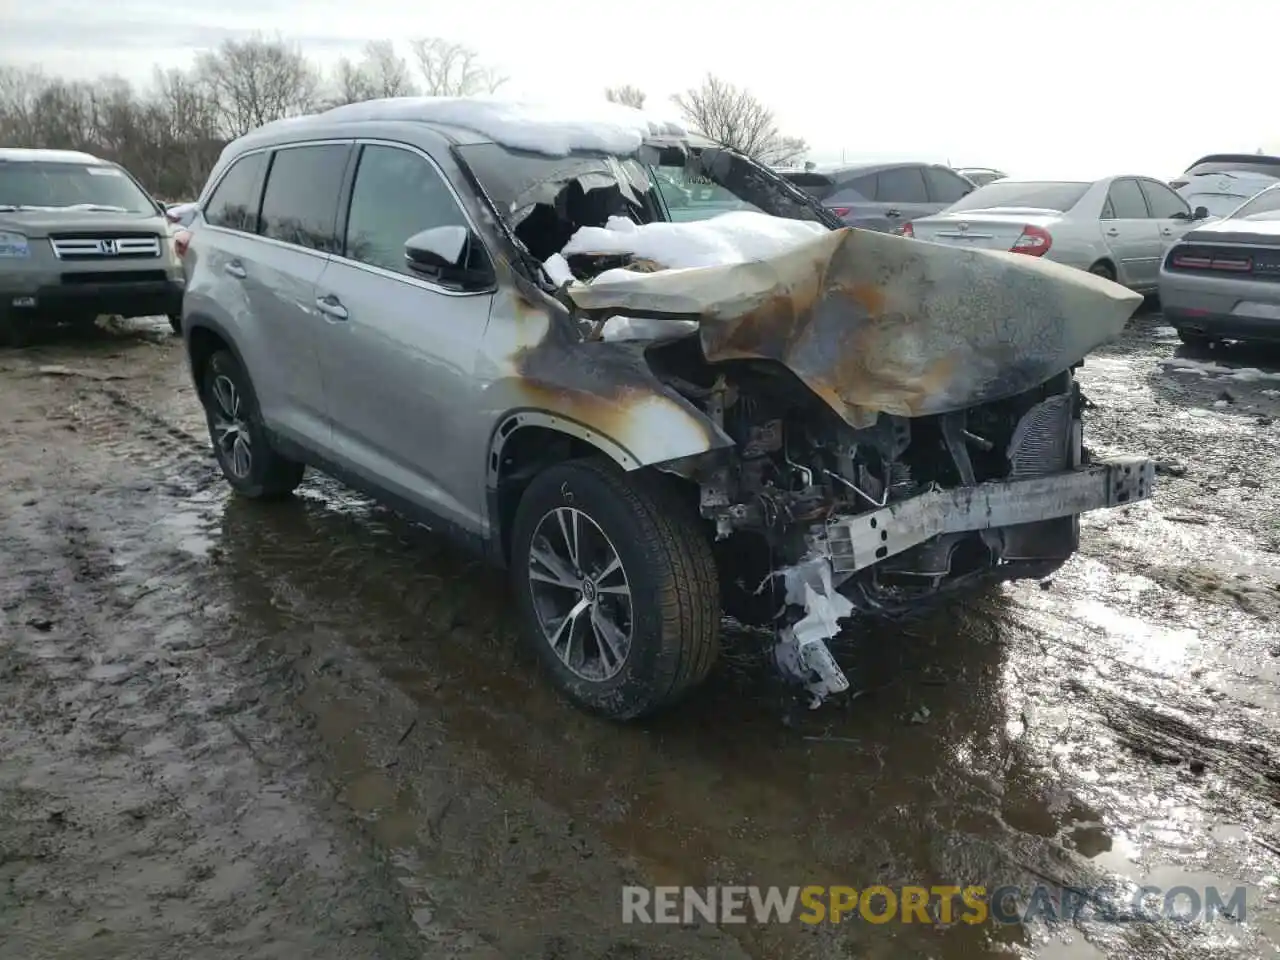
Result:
x=555 y=130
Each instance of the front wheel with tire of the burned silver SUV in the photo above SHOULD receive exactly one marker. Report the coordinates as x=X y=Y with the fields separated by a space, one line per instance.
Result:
x=666 y=563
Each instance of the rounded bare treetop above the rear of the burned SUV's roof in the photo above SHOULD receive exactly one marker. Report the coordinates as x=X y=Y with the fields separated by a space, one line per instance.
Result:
x=258 y=81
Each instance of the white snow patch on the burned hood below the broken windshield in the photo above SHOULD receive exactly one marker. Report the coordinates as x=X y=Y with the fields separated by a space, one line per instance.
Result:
x=735 y=237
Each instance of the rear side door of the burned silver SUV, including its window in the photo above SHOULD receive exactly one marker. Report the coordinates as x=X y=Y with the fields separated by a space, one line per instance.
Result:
x=298 y=235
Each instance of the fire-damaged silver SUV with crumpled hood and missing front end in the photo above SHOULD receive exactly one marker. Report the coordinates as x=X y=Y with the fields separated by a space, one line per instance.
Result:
x=486 y=316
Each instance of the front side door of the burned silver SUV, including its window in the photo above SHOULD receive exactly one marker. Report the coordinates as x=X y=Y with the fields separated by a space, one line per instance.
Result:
x=400 y=351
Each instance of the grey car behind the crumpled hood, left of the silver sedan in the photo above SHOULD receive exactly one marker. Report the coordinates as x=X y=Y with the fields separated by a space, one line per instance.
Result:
x=884 y=196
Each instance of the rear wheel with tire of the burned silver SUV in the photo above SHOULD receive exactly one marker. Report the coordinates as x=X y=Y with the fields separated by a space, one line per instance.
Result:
x=234 y=414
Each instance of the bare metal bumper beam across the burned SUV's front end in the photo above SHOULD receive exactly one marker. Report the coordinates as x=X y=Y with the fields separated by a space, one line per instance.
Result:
x=854 y=543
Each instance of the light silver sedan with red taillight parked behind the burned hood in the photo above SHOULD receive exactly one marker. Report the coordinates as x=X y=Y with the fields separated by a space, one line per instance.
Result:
x=1118 y=227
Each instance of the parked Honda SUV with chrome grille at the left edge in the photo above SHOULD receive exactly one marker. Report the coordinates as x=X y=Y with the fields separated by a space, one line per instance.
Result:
x=80 y=239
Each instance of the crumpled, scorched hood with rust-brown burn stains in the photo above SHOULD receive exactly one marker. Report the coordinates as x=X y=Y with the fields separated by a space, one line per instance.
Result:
x=875 y=323
